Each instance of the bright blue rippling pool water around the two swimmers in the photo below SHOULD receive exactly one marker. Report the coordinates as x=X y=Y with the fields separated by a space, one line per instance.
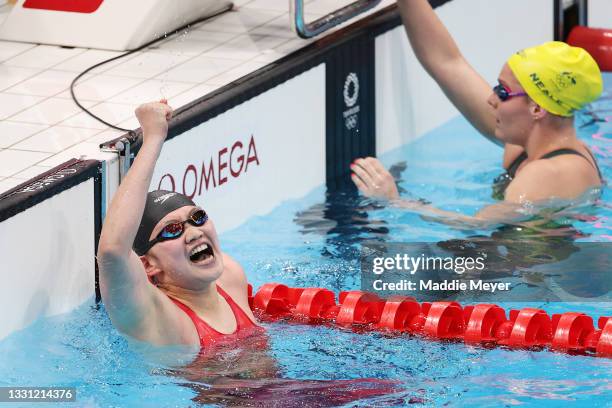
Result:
x=316 y=241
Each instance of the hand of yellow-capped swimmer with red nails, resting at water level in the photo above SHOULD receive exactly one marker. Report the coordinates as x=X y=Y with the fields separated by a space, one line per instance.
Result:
x=373 y=180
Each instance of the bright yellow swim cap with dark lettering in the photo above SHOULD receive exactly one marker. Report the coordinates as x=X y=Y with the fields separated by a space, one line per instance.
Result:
x=558 y=77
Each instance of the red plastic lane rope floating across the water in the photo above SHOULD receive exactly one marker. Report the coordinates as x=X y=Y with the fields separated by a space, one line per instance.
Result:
x=484 y=324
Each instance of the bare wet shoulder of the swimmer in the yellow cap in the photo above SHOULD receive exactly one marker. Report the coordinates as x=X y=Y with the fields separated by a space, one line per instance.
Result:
x=564 y=177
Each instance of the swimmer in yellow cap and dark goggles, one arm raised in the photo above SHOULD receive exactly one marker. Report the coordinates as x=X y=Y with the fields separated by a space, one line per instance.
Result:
x=529 y=112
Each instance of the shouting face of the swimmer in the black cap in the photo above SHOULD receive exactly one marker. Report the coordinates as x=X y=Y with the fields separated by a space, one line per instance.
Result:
x=190 y=260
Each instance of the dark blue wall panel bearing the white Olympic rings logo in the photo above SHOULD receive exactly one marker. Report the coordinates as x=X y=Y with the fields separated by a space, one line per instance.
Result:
x=350 y=109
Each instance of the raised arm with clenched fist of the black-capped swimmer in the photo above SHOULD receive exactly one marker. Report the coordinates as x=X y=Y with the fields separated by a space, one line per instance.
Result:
x=127 y=294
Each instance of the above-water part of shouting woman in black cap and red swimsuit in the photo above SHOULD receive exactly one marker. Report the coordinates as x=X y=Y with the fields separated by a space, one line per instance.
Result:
x=163 y=277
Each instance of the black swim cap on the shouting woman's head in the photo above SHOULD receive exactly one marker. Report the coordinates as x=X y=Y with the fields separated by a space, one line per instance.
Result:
x=159 y=204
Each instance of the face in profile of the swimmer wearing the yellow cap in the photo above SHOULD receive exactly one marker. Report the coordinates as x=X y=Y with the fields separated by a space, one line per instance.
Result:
x=513 y=119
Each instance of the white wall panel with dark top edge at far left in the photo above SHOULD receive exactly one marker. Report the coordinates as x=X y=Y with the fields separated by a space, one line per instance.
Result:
x=48 y=236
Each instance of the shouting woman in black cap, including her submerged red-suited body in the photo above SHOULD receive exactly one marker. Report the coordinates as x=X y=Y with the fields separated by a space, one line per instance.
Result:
x=165 y=281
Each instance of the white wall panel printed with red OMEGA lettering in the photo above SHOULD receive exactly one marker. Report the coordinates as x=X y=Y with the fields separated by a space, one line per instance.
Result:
x=247 y=160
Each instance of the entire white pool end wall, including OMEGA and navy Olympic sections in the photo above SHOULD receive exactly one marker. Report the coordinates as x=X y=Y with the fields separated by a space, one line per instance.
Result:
x=275 y=134
